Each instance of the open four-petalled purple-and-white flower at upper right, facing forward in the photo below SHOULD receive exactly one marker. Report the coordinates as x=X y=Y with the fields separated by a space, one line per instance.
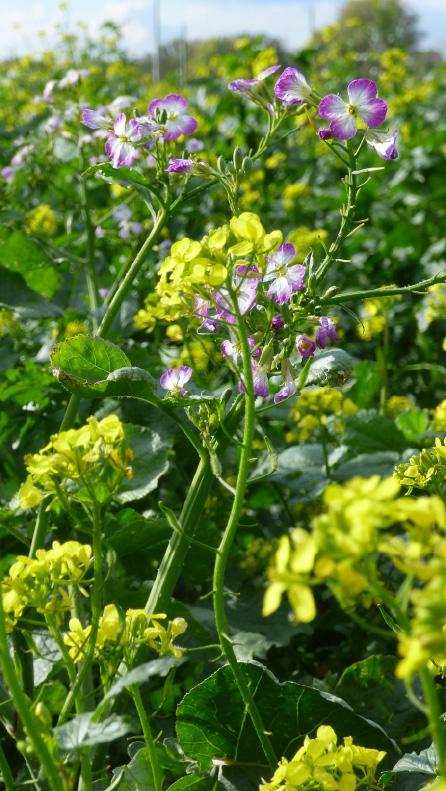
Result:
x=363 y=104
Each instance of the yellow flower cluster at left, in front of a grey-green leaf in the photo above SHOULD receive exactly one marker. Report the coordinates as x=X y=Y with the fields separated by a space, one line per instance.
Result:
x=91 y=455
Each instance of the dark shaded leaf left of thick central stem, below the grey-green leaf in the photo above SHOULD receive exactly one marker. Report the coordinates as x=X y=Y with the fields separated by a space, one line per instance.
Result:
x=130 y=532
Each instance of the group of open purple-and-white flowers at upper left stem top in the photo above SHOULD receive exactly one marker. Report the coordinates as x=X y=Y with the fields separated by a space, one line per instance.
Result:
x=166 y=121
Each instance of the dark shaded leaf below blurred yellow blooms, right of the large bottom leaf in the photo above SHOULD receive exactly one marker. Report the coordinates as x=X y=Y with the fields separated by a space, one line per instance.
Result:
x=371 y=687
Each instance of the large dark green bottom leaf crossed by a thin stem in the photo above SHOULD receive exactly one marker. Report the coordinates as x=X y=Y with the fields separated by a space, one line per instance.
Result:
x=212 y=721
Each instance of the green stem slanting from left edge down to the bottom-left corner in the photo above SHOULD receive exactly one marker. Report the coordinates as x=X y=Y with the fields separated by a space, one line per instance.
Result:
x=22 y=704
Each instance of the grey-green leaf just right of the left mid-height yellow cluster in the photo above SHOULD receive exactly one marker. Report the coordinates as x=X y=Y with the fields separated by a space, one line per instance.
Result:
x=149 y=464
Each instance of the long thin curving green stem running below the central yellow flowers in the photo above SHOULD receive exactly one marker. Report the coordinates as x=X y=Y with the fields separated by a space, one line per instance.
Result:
x=222 y=558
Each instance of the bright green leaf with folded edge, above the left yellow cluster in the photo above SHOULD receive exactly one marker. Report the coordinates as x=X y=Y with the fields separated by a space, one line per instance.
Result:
x=94 y=367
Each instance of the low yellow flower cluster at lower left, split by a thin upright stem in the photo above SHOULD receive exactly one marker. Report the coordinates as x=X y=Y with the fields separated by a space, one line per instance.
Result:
x=118 y=631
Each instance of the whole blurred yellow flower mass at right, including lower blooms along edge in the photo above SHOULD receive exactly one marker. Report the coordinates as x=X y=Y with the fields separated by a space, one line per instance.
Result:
x=343 y=550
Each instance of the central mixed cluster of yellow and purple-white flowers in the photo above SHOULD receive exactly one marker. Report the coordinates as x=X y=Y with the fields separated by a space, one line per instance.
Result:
x=240 y=270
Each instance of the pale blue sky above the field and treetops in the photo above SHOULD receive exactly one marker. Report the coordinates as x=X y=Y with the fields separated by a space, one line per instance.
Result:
x=289 y=20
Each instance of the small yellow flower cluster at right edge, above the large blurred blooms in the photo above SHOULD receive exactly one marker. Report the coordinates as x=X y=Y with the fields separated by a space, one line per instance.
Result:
x=425 y=471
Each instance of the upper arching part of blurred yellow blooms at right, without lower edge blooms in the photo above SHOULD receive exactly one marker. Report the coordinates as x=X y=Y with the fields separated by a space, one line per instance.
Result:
x=344 y=546
